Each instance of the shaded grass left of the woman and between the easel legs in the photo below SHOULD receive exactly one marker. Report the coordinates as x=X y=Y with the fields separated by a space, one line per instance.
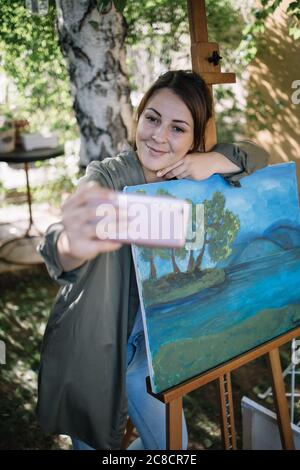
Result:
x=25 y=302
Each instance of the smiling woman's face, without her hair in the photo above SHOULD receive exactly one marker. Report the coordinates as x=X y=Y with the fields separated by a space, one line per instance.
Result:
x=165 y=132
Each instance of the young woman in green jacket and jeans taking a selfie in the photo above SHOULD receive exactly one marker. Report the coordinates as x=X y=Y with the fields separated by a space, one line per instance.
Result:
x=93 y=363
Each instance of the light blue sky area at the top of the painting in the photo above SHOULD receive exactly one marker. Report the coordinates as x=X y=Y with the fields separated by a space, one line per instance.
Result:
x=265 y=198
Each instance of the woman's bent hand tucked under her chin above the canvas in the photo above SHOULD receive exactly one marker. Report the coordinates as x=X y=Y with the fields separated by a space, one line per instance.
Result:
x=199 y=166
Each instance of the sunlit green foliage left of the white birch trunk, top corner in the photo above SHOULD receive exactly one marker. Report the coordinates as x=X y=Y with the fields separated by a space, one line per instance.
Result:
x=30 y=56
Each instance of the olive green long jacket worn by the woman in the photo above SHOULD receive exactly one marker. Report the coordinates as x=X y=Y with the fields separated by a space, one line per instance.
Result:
x=81 y=388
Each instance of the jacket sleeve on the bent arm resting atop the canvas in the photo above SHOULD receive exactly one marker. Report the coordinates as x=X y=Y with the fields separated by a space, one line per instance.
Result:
x=245 y=154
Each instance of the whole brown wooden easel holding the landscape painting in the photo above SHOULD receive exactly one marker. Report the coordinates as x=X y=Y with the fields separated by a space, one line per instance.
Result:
x=205 y=61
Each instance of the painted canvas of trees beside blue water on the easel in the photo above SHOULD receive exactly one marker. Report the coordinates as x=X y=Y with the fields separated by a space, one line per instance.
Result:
x=235 y=284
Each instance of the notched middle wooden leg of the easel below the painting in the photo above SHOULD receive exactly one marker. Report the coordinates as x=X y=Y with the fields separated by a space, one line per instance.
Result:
x=227 y=414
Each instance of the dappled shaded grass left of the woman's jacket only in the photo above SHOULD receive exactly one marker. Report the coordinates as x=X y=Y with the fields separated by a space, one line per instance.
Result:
x=25 y=302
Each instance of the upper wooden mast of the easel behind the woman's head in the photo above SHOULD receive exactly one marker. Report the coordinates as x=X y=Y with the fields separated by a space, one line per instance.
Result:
x=205 y=59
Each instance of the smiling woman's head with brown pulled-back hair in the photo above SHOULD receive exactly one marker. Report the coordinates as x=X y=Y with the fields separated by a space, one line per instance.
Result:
x=171 y=121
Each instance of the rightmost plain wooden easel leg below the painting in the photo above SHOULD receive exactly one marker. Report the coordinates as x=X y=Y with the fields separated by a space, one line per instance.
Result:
x=283 y=417
